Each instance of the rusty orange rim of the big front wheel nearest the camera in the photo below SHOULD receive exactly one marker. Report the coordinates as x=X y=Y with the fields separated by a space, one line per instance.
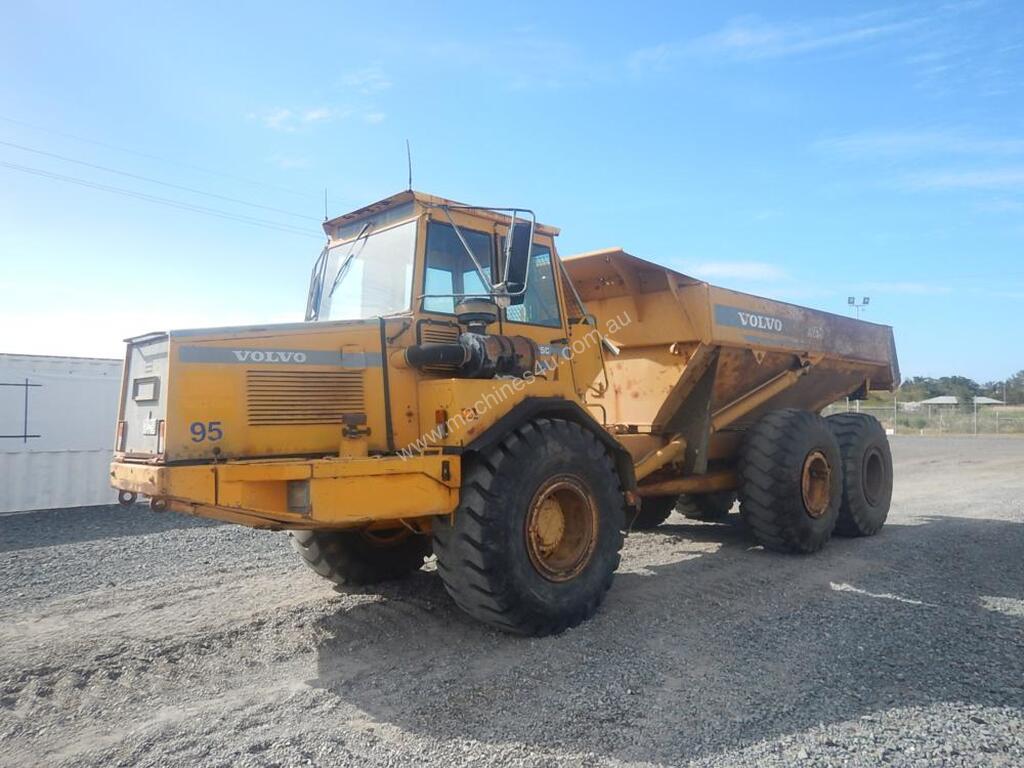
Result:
x=562 y=529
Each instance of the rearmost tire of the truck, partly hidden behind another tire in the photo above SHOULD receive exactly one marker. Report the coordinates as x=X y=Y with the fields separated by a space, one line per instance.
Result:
x=868 y=474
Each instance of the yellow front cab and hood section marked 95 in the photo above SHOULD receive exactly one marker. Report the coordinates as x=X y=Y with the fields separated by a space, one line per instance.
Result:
x=303 y=407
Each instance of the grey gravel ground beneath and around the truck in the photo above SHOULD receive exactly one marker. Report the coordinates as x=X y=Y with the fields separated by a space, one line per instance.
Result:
x=132 y=638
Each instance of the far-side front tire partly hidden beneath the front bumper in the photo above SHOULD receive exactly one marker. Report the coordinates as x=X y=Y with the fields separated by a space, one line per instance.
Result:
x=356 y=558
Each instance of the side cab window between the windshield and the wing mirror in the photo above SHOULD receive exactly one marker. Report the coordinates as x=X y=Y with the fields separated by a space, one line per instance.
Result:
x=449 y=269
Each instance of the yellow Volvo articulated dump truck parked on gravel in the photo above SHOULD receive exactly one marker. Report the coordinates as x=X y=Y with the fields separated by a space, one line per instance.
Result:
x=460 y=390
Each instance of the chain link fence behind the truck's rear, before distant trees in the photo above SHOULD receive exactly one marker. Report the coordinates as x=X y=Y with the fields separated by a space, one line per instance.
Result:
x=940 y=419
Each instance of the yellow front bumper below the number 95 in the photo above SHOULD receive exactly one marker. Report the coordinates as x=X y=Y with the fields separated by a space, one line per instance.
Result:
x=301 y=494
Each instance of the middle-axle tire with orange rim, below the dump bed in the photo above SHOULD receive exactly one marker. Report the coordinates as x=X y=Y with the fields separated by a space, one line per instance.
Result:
x=791 y=474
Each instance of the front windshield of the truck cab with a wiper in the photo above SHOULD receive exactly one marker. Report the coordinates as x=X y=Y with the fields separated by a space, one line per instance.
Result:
x=370 y=276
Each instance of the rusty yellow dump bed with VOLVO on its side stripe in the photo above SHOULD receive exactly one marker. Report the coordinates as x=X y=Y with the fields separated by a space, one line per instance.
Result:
x=680 y=328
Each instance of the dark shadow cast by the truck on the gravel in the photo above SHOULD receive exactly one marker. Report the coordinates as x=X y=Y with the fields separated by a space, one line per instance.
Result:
x=723 y=648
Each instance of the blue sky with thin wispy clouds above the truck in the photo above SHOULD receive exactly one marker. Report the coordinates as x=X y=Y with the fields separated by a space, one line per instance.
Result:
x=801 y=151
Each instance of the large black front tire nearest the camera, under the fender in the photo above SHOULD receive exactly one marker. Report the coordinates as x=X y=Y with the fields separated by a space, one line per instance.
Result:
x=534 y=544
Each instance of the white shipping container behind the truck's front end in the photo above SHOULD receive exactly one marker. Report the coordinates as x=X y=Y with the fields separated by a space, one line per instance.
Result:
x=58 y=418
